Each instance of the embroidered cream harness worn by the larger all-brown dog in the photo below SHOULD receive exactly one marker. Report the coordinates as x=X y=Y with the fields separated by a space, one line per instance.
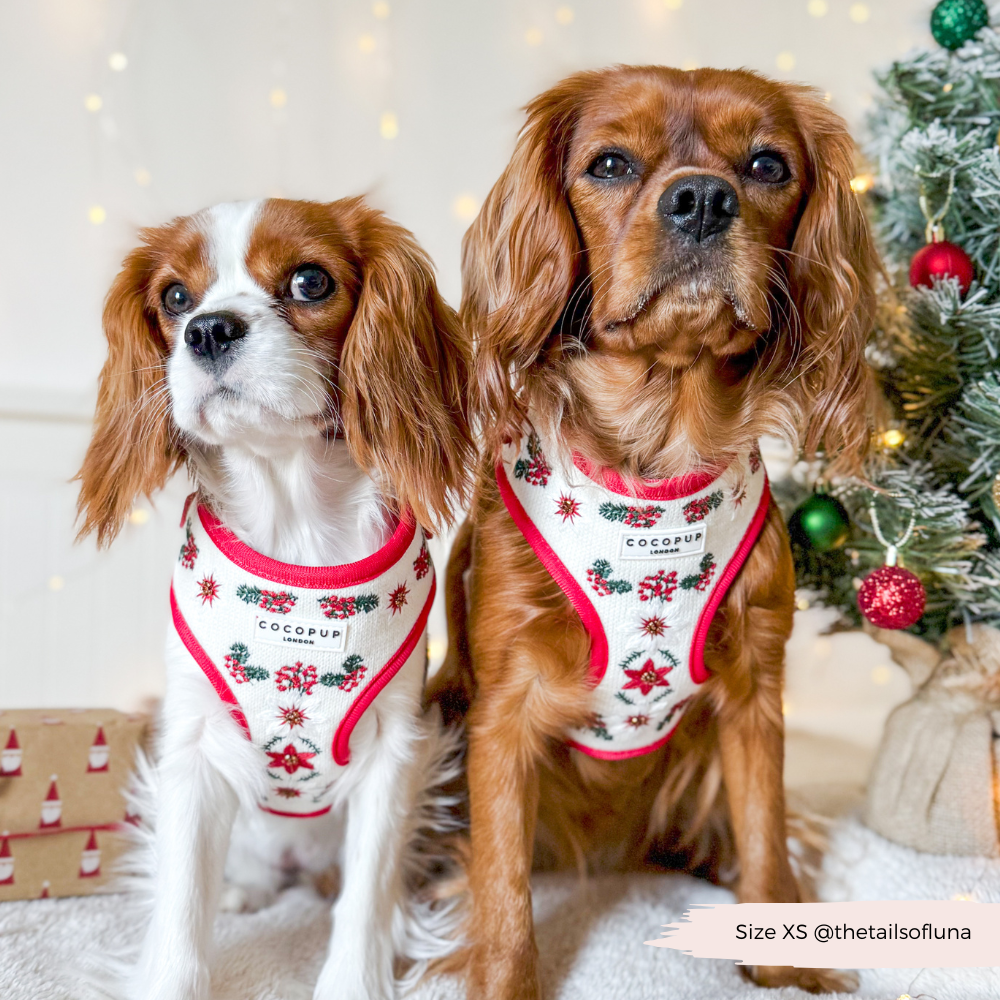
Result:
x=646 y=566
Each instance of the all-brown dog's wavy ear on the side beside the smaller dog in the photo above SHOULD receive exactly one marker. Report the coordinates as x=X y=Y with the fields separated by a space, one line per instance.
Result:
x=519 y=263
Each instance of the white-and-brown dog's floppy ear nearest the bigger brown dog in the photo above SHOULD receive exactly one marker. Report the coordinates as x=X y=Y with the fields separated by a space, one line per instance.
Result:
x=404 y=374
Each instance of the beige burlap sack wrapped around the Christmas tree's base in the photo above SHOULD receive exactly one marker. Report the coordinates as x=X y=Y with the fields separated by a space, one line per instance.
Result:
x=934 y=786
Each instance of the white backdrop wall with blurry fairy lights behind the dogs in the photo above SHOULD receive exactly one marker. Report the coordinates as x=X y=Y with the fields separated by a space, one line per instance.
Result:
x=118 y=114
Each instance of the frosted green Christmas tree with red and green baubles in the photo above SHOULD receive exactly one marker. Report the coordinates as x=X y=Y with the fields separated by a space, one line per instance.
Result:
x=935 y=206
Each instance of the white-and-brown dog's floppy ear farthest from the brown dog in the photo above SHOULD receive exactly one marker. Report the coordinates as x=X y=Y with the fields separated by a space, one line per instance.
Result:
x=133 y=450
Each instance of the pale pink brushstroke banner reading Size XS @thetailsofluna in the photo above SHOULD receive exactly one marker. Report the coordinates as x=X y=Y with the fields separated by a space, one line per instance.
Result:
x=870 y=935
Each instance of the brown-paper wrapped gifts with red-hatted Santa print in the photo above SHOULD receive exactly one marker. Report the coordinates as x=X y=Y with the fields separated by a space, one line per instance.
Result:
x=62 y=778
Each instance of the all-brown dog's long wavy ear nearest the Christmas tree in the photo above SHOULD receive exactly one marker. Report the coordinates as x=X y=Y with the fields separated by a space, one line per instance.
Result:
x=833 y=272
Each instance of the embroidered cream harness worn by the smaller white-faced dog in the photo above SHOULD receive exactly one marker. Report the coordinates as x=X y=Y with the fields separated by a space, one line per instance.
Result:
x=299 y=651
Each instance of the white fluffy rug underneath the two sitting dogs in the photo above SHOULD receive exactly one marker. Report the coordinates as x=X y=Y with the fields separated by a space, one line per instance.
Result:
x=590 y=936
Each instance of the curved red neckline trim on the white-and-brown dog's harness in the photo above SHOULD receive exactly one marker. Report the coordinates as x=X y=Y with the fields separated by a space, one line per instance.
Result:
x=314 y=577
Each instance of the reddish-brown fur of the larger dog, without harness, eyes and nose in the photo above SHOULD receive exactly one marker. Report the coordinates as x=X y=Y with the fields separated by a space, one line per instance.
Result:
x=649 y=357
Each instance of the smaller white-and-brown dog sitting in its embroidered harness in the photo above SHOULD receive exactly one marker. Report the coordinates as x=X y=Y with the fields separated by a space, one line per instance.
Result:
x=297 y=356
